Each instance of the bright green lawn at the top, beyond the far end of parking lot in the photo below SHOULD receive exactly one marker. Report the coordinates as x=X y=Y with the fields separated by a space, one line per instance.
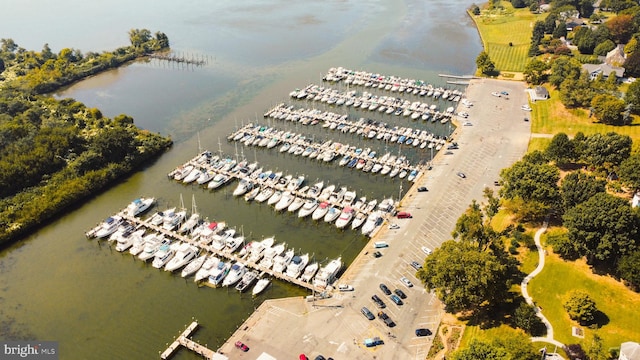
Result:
x=506 y=35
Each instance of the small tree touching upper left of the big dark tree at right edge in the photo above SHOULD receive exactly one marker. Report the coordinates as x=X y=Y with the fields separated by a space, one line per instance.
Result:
x=577 y=187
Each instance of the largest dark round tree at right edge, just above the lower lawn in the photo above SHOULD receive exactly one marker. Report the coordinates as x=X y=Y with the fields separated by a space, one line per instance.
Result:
x=603 y=228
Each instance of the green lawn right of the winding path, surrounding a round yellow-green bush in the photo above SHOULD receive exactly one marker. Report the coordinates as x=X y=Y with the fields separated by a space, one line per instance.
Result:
x=619 y=304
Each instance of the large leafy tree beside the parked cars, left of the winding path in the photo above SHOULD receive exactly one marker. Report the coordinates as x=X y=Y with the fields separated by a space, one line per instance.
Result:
x=464 y=277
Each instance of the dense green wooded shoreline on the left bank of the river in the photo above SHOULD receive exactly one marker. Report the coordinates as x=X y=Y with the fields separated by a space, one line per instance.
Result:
x=55 y=153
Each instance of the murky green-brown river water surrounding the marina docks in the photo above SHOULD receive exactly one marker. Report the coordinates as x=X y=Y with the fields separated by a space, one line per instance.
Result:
x=56 y=285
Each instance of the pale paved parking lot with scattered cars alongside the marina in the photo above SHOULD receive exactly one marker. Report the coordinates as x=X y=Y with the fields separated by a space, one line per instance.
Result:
x=335 y=327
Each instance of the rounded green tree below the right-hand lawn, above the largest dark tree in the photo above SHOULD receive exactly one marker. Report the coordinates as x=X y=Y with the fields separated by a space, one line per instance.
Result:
x=608 y=150
